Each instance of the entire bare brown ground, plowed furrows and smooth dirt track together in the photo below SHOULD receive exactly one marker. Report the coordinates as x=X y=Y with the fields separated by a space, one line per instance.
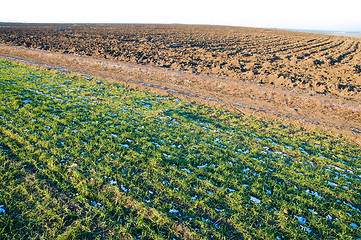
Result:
x=211 y=52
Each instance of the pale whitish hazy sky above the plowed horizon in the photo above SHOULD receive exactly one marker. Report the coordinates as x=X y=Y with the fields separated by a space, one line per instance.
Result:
x=341 y=15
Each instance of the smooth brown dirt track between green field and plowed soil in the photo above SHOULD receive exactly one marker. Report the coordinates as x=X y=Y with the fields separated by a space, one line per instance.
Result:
x=311 y=110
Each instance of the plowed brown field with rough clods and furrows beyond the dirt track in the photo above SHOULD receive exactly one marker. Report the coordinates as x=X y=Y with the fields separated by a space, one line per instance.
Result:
x=318 y=63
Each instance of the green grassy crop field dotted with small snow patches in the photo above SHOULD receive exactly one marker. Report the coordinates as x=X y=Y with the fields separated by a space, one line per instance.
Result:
x=82 y=158
